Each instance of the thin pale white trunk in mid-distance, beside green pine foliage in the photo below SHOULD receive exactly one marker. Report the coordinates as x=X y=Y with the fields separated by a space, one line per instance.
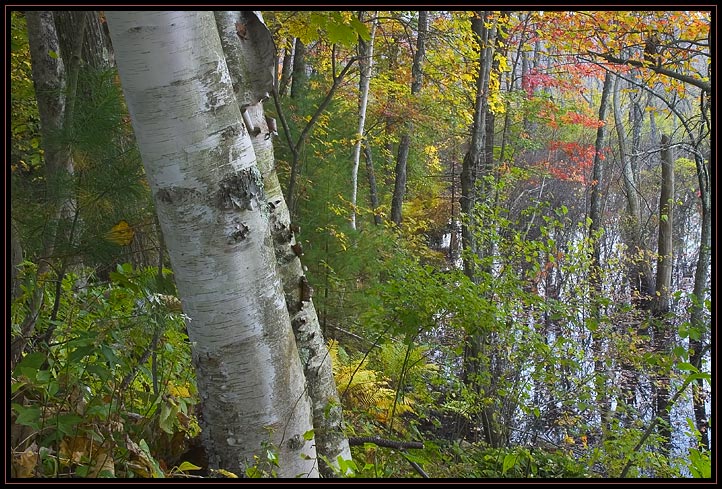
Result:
x=366 y=58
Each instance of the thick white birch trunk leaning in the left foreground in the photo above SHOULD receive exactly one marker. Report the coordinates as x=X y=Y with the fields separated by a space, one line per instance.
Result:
x=212 y=208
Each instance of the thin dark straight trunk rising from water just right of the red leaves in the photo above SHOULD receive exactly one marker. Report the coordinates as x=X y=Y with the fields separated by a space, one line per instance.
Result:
x=595 y=226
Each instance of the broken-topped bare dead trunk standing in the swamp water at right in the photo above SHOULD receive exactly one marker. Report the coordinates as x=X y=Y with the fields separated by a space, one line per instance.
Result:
x=663 y=334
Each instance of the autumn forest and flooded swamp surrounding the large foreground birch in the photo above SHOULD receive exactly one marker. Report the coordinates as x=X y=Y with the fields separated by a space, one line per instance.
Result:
x=501 y=219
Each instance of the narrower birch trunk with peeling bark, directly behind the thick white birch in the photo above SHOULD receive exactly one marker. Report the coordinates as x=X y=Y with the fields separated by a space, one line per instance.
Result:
x=331 y=442
